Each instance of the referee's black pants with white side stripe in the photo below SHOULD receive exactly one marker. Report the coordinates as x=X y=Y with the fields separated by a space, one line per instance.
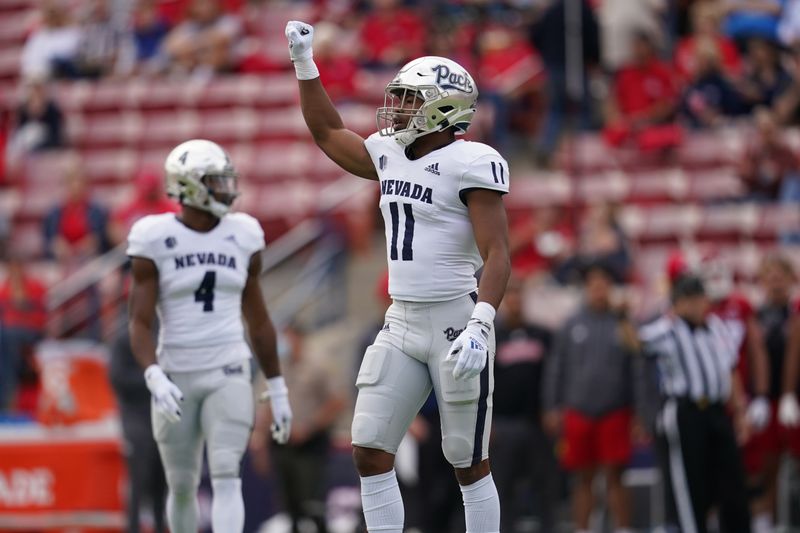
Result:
x=702 y=467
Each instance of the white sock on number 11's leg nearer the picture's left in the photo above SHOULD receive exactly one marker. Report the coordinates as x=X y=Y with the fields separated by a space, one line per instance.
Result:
x=382 y=503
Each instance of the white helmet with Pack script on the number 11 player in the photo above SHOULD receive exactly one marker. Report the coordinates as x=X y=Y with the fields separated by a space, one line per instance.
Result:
x=448 y=95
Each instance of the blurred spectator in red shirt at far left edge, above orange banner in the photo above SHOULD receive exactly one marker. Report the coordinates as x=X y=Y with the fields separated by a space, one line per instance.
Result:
x=22 y=322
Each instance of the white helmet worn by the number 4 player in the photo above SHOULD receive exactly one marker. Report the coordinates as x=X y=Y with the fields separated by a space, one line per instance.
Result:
x=199 y=173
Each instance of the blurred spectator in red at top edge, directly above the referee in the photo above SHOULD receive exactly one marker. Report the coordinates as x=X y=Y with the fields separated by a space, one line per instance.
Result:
x=706 y=23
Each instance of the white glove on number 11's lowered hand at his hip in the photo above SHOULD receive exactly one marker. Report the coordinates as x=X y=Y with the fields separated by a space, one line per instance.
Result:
x=470 y=350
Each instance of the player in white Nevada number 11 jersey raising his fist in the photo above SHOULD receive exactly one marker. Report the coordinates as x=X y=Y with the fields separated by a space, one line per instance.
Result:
x=441 y=200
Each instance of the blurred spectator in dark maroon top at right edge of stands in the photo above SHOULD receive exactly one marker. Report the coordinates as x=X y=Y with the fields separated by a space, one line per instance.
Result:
x=769 y=167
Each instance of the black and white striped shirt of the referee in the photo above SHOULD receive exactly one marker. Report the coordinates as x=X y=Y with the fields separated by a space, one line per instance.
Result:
x=693 y=362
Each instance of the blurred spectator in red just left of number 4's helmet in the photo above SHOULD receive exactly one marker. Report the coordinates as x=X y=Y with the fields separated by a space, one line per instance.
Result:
x=149 y=199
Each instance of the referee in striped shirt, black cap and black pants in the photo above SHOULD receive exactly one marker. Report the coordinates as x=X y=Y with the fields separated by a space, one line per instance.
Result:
x=696 y=357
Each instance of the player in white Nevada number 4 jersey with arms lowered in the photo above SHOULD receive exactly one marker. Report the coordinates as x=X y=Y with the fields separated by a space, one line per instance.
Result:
x=199 y=272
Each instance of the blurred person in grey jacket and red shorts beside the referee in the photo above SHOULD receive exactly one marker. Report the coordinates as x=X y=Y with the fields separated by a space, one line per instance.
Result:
x=588 y=399
